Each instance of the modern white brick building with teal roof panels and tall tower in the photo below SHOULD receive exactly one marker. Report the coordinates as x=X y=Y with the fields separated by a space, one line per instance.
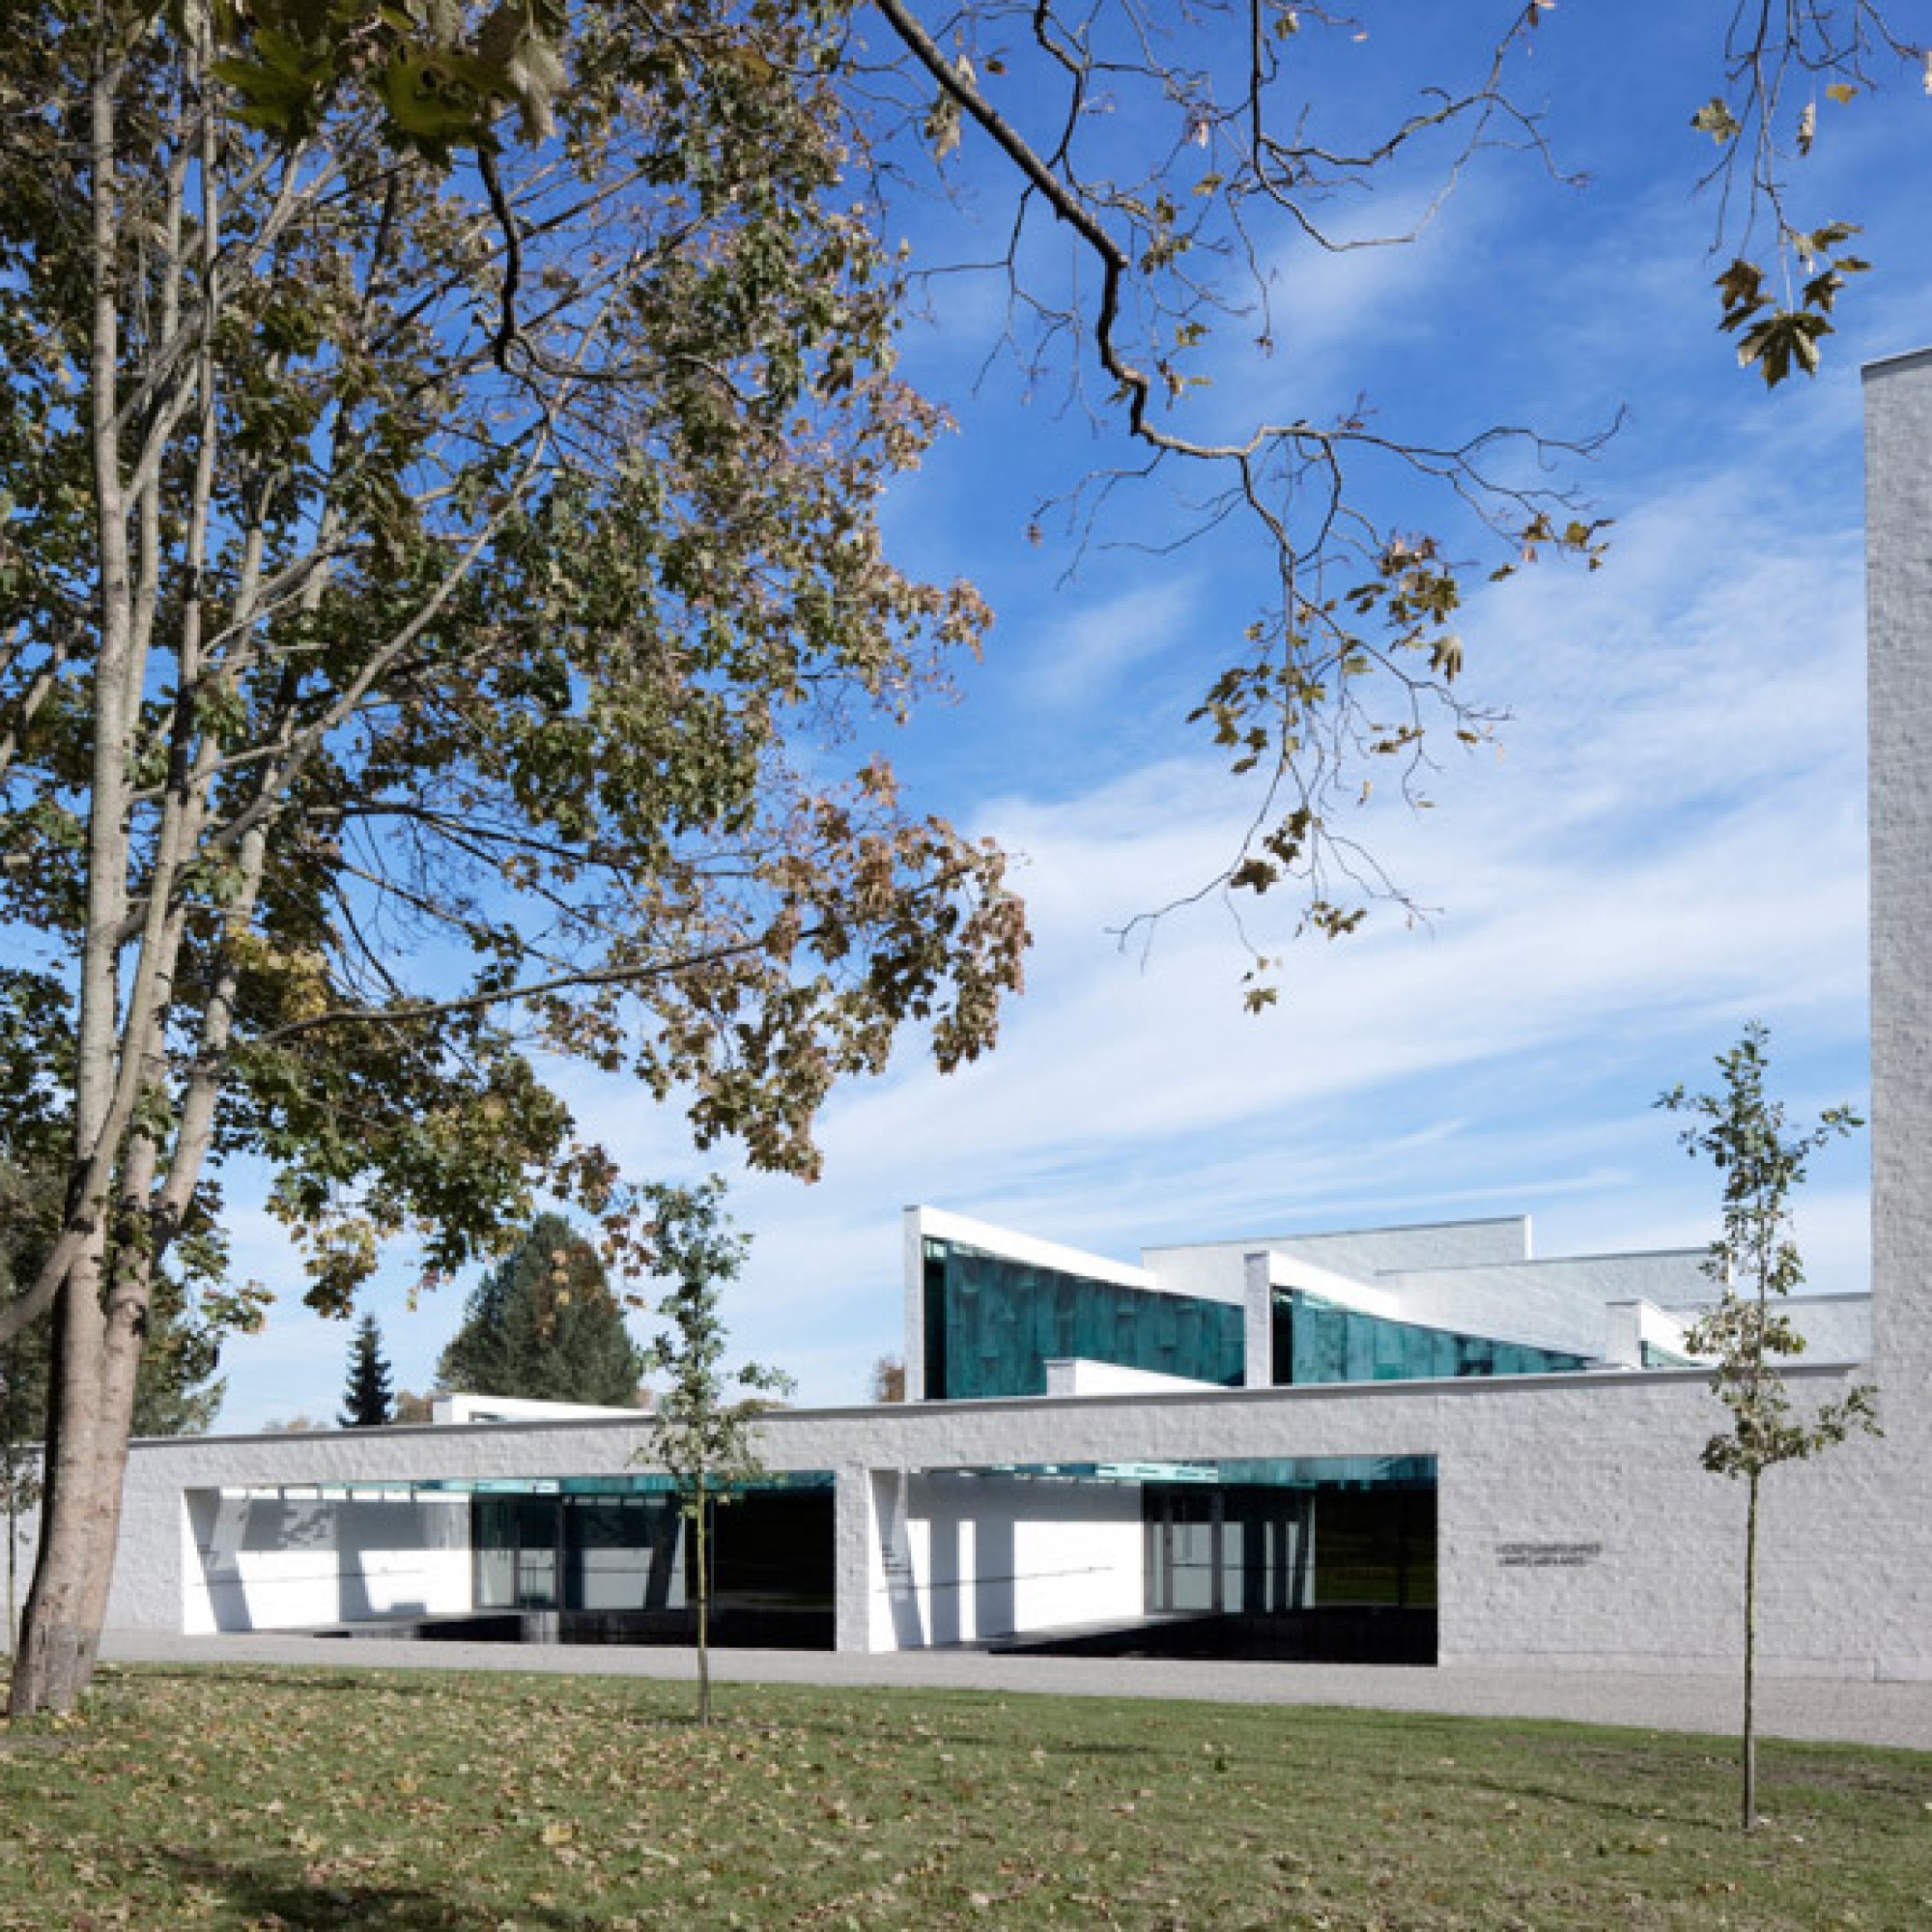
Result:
x=1407 y=1444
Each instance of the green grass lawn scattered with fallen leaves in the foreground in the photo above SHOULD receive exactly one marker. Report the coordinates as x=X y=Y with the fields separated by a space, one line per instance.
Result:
x=298 y=1798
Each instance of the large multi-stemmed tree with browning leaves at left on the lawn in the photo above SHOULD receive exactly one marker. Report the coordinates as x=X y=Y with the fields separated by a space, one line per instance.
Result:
x=401 y=691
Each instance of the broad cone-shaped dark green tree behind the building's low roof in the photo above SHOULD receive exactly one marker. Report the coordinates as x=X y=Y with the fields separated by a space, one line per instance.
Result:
x=546 y=1326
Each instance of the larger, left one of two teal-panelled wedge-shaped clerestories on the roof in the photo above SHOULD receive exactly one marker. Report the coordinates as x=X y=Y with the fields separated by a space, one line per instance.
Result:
x=992 y=1326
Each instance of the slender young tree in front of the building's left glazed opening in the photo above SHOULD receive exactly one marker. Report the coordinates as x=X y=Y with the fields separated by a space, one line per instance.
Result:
x=706 y=1440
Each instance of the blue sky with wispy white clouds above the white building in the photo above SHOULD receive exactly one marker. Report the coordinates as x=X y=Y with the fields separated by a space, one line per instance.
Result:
x=1666 y=841
